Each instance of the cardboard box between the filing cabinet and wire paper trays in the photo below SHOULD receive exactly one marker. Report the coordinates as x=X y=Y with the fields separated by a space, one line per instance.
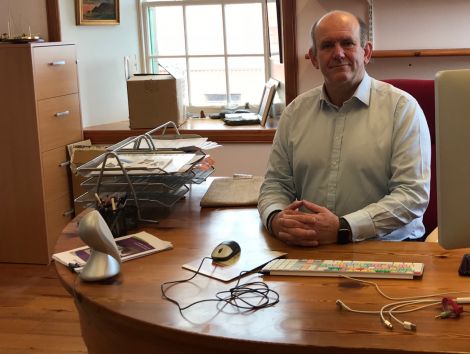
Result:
x=80 y=153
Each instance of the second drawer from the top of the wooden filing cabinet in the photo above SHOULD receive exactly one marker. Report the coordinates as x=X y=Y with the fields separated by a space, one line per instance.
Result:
x=59 y=121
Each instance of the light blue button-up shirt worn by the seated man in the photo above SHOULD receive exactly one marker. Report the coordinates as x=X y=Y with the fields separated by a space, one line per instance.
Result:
x=368 y=161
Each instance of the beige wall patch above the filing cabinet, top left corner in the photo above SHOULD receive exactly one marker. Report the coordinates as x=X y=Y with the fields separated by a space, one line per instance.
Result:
x=24 y=14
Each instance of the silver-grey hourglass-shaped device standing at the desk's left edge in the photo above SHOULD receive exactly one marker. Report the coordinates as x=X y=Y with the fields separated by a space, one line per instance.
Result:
x=105 y=259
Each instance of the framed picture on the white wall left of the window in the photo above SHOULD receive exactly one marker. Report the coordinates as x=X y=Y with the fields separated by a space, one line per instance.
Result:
x=97 y=12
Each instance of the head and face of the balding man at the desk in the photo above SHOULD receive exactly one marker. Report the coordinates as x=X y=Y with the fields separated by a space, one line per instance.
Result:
x=340 y=56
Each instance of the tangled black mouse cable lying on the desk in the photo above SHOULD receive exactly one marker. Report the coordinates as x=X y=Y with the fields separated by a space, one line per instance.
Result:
x=249 y=296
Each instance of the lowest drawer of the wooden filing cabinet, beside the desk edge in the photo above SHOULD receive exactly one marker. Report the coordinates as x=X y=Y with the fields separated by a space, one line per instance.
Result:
x=57 y=217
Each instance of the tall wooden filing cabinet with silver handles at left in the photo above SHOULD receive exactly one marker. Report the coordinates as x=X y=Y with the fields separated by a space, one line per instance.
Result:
x=40 y=115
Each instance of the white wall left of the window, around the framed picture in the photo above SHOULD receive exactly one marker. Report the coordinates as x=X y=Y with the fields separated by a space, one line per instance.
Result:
x=101 y=51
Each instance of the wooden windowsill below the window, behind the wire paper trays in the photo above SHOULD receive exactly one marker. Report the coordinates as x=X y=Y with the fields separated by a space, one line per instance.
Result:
x=214 y=129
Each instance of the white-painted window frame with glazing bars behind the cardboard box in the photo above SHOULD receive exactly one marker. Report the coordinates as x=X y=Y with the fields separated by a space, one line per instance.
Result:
x=146 y=41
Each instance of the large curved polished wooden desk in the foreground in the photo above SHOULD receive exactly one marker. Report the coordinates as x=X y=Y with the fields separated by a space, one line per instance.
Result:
x=129 y=315
